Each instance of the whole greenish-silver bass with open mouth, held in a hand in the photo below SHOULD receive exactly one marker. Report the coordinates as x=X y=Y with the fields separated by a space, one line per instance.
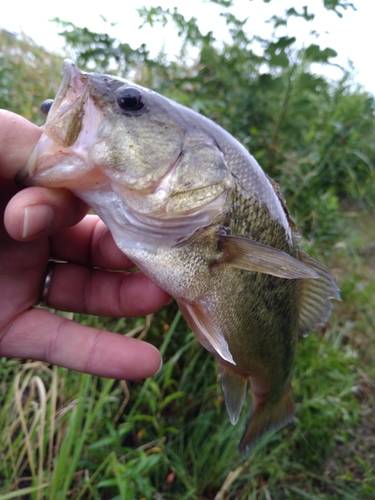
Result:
x=192 y=208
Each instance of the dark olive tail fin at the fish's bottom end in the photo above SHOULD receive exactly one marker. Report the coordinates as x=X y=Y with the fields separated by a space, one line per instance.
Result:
x=266 y=416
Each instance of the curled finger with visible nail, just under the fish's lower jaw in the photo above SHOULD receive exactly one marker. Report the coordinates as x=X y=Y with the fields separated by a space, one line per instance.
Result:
x=37 y=211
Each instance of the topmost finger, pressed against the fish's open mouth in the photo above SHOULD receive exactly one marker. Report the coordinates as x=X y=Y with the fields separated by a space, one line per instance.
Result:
x=17 y=139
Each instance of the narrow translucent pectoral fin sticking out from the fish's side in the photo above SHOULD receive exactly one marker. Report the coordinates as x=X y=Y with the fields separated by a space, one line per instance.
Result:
x=253 y=256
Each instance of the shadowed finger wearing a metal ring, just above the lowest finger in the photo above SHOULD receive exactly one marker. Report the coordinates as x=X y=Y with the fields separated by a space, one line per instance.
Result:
x=103 y=293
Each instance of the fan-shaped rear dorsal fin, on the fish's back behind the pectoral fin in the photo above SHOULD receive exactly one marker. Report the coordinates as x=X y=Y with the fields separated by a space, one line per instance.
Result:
x=316 y=295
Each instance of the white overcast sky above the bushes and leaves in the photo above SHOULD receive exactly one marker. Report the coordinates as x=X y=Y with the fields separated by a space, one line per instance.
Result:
x=353 y=36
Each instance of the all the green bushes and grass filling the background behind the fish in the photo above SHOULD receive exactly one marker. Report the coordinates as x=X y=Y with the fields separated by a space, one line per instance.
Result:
x=68 y=435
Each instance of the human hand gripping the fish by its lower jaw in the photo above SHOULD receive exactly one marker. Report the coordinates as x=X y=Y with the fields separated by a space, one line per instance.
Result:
x=40 y=224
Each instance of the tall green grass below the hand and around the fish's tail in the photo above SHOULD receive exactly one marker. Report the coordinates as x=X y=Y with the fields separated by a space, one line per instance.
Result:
x=68 y=435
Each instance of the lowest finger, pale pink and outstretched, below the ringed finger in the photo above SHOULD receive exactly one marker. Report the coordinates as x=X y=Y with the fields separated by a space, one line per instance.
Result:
x=44 y=336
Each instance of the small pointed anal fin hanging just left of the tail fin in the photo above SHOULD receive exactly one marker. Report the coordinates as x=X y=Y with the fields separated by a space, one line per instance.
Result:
x=234 y=387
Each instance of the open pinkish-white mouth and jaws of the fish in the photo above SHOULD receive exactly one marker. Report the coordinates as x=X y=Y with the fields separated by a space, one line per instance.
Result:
x=60 y=158
